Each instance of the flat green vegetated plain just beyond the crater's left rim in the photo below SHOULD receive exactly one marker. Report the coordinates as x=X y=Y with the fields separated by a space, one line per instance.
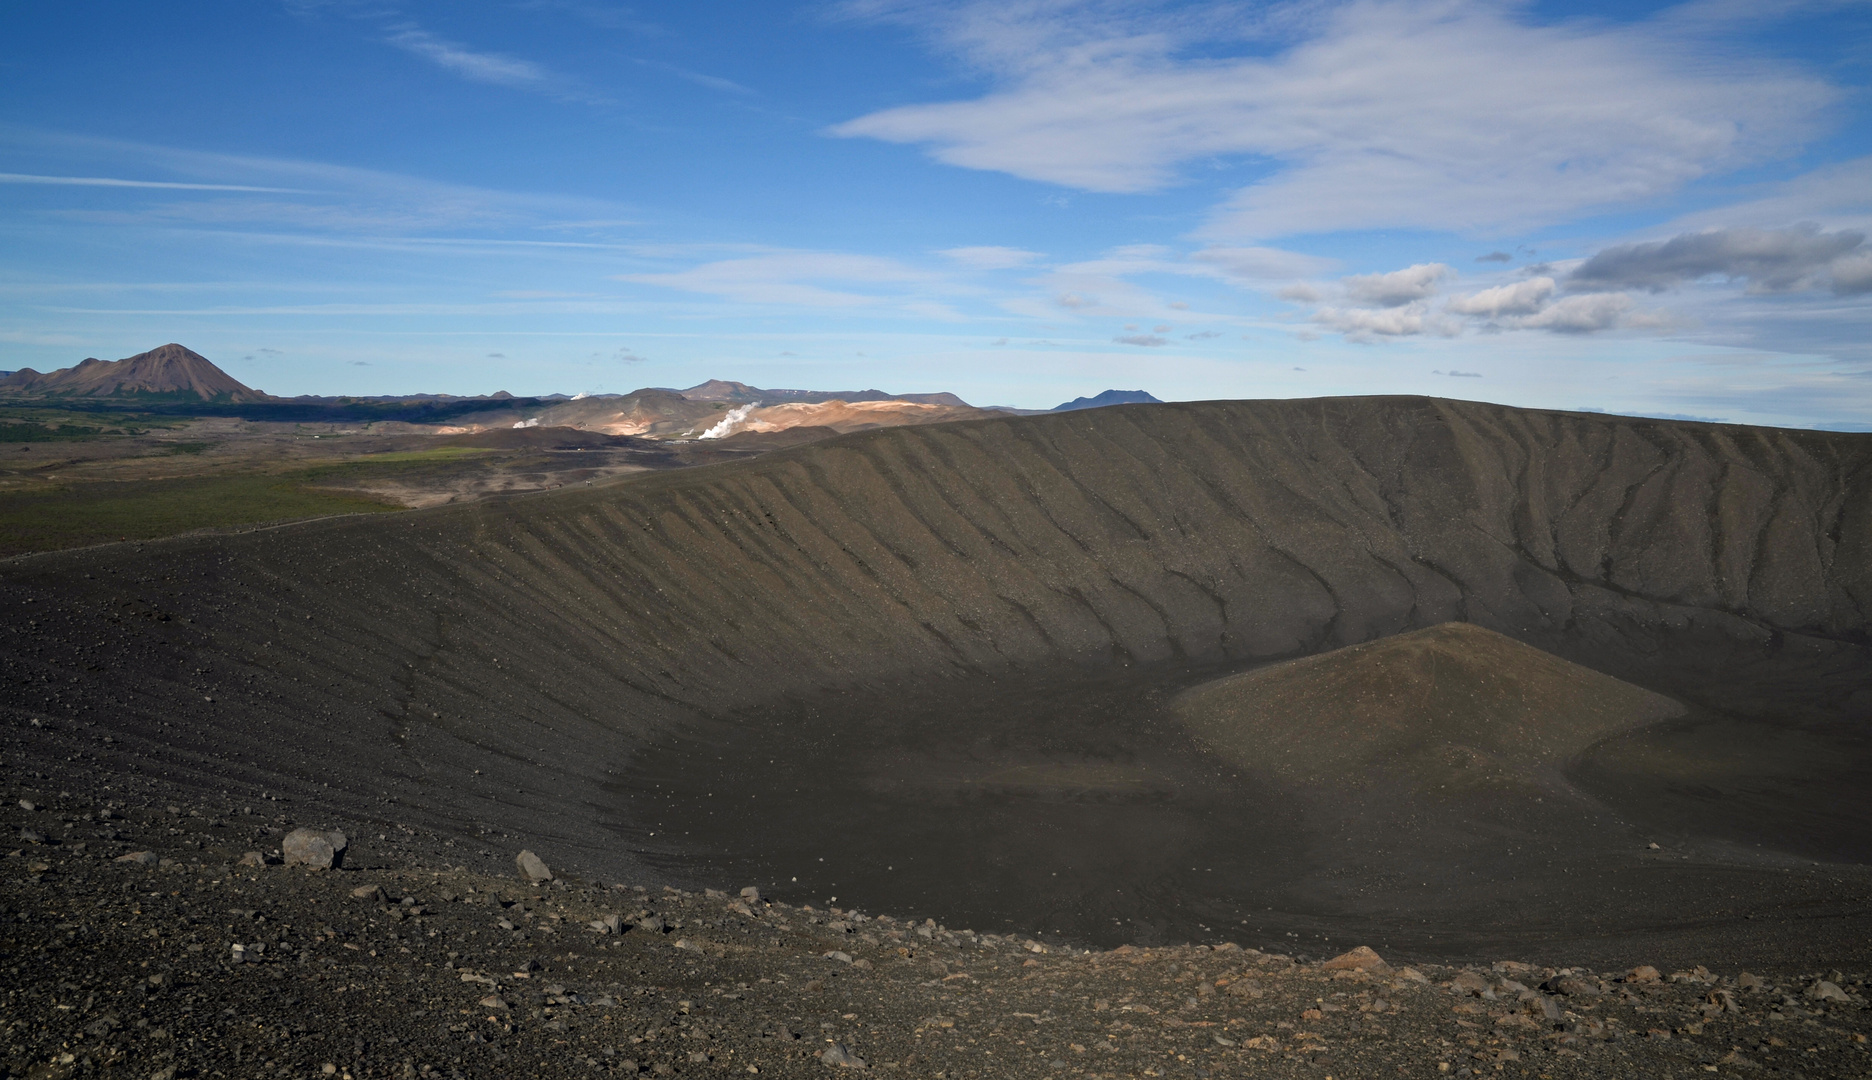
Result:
x=154 y=508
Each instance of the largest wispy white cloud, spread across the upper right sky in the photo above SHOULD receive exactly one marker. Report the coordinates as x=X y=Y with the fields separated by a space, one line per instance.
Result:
x=1454 y=115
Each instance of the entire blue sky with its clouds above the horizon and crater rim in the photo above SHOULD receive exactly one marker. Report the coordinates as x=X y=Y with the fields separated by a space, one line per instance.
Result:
x=1637 y=209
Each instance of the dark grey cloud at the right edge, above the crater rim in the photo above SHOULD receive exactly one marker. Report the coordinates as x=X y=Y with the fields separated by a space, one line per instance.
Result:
x=1770 y=259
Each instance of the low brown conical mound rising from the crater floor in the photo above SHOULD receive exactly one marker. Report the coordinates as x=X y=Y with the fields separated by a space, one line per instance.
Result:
x=1448 y=707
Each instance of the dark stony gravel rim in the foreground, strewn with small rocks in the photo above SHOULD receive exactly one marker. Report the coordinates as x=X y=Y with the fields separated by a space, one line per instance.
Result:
x=121 y=969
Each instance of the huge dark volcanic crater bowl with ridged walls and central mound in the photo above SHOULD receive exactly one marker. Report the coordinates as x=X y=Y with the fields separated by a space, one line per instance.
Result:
x=1444 y=679
